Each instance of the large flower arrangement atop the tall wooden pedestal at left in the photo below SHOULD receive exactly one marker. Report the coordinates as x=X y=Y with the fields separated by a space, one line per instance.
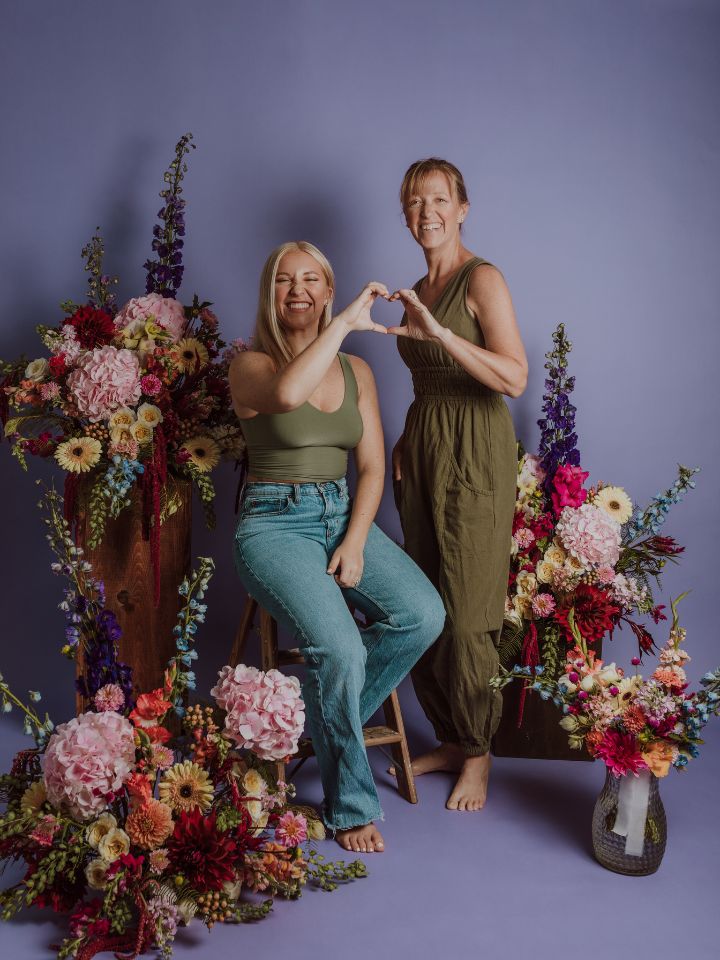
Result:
x=129 y=397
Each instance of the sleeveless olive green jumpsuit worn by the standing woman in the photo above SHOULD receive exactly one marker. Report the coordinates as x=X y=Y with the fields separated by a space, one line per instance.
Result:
x=456 y=501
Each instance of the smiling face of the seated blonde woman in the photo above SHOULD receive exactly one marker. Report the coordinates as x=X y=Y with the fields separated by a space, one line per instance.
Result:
x=301 y=291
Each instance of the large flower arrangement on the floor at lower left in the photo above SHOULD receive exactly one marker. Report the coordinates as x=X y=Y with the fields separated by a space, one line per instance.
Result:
x=134 y=830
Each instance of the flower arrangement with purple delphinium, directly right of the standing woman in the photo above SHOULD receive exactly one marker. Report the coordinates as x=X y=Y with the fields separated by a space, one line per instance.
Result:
x=584 y=559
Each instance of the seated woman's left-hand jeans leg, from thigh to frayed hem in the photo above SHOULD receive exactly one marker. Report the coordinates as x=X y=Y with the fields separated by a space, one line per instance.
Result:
x=285 y=572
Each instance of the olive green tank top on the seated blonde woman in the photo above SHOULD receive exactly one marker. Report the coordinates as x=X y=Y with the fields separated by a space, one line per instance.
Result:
x=305 y=445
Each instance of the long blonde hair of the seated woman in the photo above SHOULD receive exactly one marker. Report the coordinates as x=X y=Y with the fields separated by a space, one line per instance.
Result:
x=269 y=335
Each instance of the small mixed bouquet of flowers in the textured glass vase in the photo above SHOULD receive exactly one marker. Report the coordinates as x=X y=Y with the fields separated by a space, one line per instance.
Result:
x=632 y=724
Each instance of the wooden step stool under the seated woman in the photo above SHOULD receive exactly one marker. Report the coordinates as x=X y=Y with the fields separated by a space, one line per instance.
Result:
x=392 y=735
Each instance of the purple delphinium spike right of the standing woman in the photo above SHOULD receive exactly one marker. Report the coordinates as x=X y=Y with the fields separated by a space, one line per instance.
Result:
x=558 y=440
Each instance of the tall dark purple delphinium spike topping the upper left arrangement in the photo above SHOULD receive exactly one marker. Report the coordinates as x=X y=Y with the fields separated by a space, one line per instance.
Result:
x=164 y=275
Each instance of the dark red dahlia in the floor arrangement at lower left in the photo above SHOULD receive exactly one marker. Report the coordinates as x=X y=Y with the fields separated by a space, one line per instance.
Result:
x=199 y=851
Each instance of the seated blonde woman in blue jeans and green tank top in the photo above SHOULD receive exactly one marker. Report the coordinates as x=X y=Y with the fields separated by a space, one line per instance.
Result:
x=303 y=547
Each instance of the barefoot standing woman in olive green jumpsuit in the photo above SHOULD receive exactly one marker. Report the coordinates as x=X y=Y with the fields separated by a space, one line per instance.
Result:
x=456 y=469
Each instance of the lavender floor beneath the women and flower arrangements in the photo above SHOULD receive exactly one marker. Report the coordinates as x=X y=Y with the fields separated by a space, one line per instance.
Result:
x=515 y=880
